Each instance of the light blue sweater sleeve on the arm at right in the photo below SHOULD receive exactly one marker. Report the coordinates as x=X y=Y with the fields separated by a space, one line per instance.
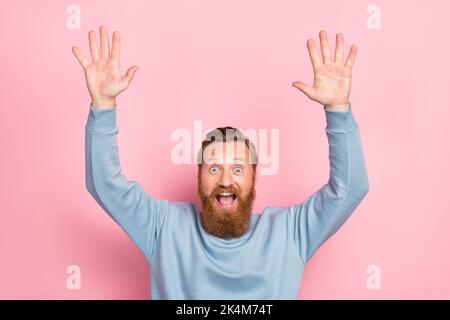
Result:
x=321 y=214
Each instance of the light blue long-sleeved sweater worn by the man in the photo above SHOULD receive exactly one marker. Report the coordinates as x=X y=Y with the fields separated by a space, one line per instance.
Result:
x=267 y=262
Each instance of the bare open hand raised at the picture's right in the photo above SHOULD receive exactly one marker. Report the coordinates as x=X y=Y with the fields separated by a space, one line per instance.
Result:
x=332 y=80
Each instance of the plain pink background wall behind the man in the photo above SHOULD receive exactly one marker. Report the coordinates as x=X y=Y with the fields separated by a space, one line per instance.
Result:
x=224 y=63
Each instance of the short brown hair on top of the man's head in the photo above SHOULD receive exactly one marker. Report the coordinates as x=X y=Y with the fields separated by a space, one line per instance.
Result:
x=226 y=134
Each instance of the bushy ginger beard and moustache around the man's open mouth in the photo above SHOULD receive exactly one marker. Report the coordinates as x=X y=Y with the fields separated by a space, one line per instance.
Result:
x=232 y=218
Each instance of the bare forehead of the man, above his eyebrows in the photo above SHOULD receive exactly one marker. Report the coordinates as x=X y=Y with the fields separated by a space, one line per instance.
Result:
x=226 y=152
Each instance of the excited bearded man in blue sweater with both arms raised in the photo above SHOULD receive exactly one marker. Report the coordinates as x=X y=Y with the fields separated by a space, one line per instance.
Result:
x=225 y=251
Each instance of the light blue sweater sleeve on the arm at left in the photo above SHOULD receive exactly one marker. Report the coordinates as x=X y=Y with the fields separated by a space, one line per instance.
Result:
x=140 y=215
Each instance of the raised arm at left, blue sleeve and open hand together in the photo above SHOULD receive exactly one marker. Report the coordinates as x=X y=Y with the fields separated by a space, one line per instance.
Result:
x=140 y=215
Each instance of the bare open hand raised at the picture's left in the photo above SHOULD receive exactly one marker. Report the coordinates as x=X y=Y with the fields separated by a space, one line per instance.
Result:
x=103 y=77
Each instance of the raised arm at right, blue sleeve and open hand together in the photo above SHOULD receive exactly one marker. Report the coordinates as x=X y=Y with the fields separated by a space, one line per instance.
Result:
x=321 y=214
